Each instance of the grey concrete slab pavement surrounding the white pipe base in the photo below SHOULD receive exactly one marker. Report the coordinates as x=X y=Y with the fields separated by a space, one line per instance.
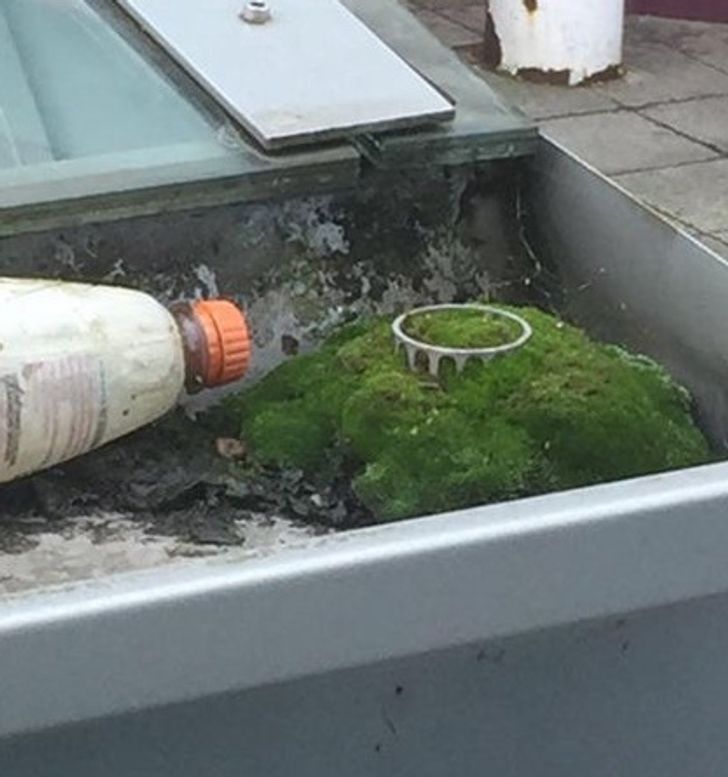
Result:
x=661 y=131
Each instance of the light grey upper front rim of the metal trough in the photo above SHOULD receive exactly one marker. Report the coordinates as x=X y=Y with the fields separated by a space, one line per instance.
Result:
x=131 y=643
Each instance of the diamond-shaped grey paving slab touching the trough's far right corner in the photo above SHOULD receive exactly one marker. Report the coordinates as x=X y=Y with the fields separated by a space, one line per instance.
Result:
x=619 y=142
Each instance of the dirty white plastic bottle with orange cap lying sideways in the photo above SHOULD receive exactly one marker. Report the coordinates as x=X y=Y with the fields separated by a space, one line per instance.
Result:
x=81 y=365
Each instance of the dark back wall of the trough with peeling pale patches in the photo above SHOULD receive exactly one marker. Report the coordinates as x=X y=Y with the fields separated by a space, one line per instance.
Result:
x=301 y=267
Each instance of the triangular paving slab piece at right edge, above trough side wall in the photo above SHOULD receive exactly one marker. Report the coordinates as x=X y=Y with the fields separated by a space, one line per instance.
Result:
x=695 y=195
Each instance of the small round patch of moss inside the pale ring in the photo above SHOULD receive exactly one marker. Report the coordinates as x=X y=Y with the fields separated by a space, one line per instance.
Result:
x=462 y=329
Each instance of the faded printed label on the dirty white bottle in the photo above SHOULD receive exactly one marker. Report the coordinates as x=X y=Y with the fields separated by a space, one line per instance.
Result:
x=61 y=403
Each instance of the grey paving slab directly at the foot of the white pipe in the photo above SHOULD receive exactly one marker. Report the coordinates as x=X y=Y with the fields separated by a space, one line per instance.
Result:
x=543 y=101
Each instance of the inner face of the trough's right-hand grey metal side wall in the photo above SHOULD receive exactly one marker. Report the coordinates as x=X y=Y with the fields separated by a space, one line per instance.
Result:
x=628 y=275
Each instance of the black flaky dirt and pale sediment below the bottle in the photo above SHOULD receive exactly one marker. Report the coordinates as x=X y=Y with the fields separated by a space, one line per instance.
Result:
x=171 y=481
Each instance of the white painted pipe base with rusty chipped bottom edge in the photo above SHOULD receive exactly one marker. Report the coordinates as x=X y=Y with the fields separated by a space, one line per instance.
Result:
x=567 y=41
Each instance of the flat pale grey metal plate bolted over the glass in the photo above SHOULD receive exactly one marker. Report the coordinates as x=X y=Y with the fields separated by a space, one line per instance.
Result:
x=313 y=72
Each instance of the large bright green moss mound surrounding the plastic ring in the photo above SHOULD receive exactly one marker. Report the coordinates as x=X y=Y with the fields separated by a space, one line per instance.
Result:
x=561 y=412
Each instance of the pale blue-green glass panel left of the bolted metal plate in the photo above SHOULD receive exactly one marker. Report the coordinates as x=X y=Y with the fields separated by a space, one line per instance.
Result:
x=76 y=100
